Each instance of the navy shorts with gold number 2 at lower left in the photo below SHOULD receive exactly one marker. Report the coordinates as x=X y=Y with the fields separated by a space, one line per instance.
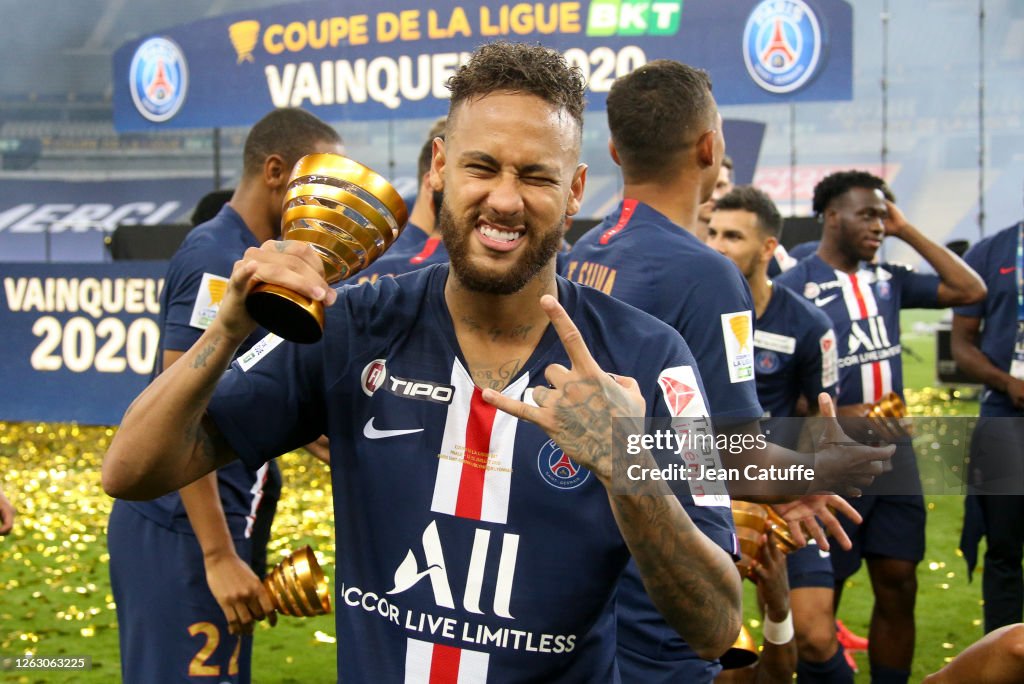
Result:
x=169 y=625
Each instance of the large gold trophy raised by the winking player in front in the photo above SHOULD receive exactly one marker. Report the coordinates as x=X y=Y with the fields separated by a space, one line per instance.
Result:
x=350 y=216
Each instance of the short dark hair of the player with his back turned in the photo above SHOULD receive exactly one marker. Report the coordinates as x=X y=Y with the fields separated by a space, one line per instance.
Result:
x=657 y=112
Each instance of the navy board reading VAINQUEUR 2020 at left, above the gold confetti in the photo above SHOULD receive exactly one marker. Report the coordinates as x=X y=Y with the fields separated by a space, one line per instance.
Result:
x=79 y=340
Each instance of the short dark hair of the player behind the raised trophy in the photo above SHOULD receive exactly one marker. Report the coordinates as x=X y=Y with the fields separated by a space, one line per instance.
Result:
x=292 y=134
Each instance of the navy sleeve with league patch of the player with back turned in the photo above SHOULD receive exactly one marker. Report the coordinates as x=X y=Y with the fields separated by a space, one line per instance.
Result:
x=716 y=319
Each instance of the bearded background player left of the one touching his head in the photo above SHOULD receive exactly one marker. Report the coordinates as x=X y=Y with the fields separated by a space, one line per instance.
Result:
x=795 y=356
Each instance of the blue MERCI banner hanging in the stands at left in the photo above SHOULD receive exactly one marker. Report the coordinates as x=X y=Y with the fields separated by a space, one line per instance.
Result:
x=59 y=221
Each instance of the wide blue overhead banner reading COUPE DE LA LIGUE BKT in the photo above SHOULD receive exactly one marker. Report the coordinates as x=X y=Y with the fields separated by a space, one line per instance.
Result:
x=349 y=61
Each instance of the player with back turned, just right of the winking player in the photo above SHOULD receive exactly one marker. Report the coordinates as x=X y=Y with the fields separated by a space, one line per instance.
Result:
x=667 y=138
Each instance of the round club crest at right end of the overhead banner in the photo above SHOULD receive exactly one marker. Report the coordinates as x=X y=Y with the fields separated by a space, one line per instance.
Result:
x=782 y=45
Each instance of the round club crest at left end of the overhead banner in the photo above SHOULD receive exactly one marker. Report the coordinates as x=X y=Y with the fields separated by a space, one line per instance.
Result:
x=158 y=79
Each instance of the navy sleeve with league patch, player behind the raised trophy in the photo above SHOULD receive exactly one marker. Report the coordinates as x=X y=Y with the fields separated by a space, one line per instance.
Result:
x=196 y=280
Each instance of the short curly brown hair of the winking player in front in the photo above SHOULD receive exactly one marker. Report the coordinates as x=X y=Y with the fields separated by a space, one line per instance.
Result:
x=521 y=68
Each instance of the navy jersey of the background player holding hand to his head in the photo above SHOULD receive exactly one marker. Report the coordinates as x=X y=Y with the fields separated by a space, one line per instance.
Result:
x=865 y=311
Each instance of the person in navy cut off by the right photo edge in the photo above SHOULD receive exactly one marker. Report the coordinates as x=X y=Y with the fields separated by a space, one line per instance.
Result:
x=989 y=345
